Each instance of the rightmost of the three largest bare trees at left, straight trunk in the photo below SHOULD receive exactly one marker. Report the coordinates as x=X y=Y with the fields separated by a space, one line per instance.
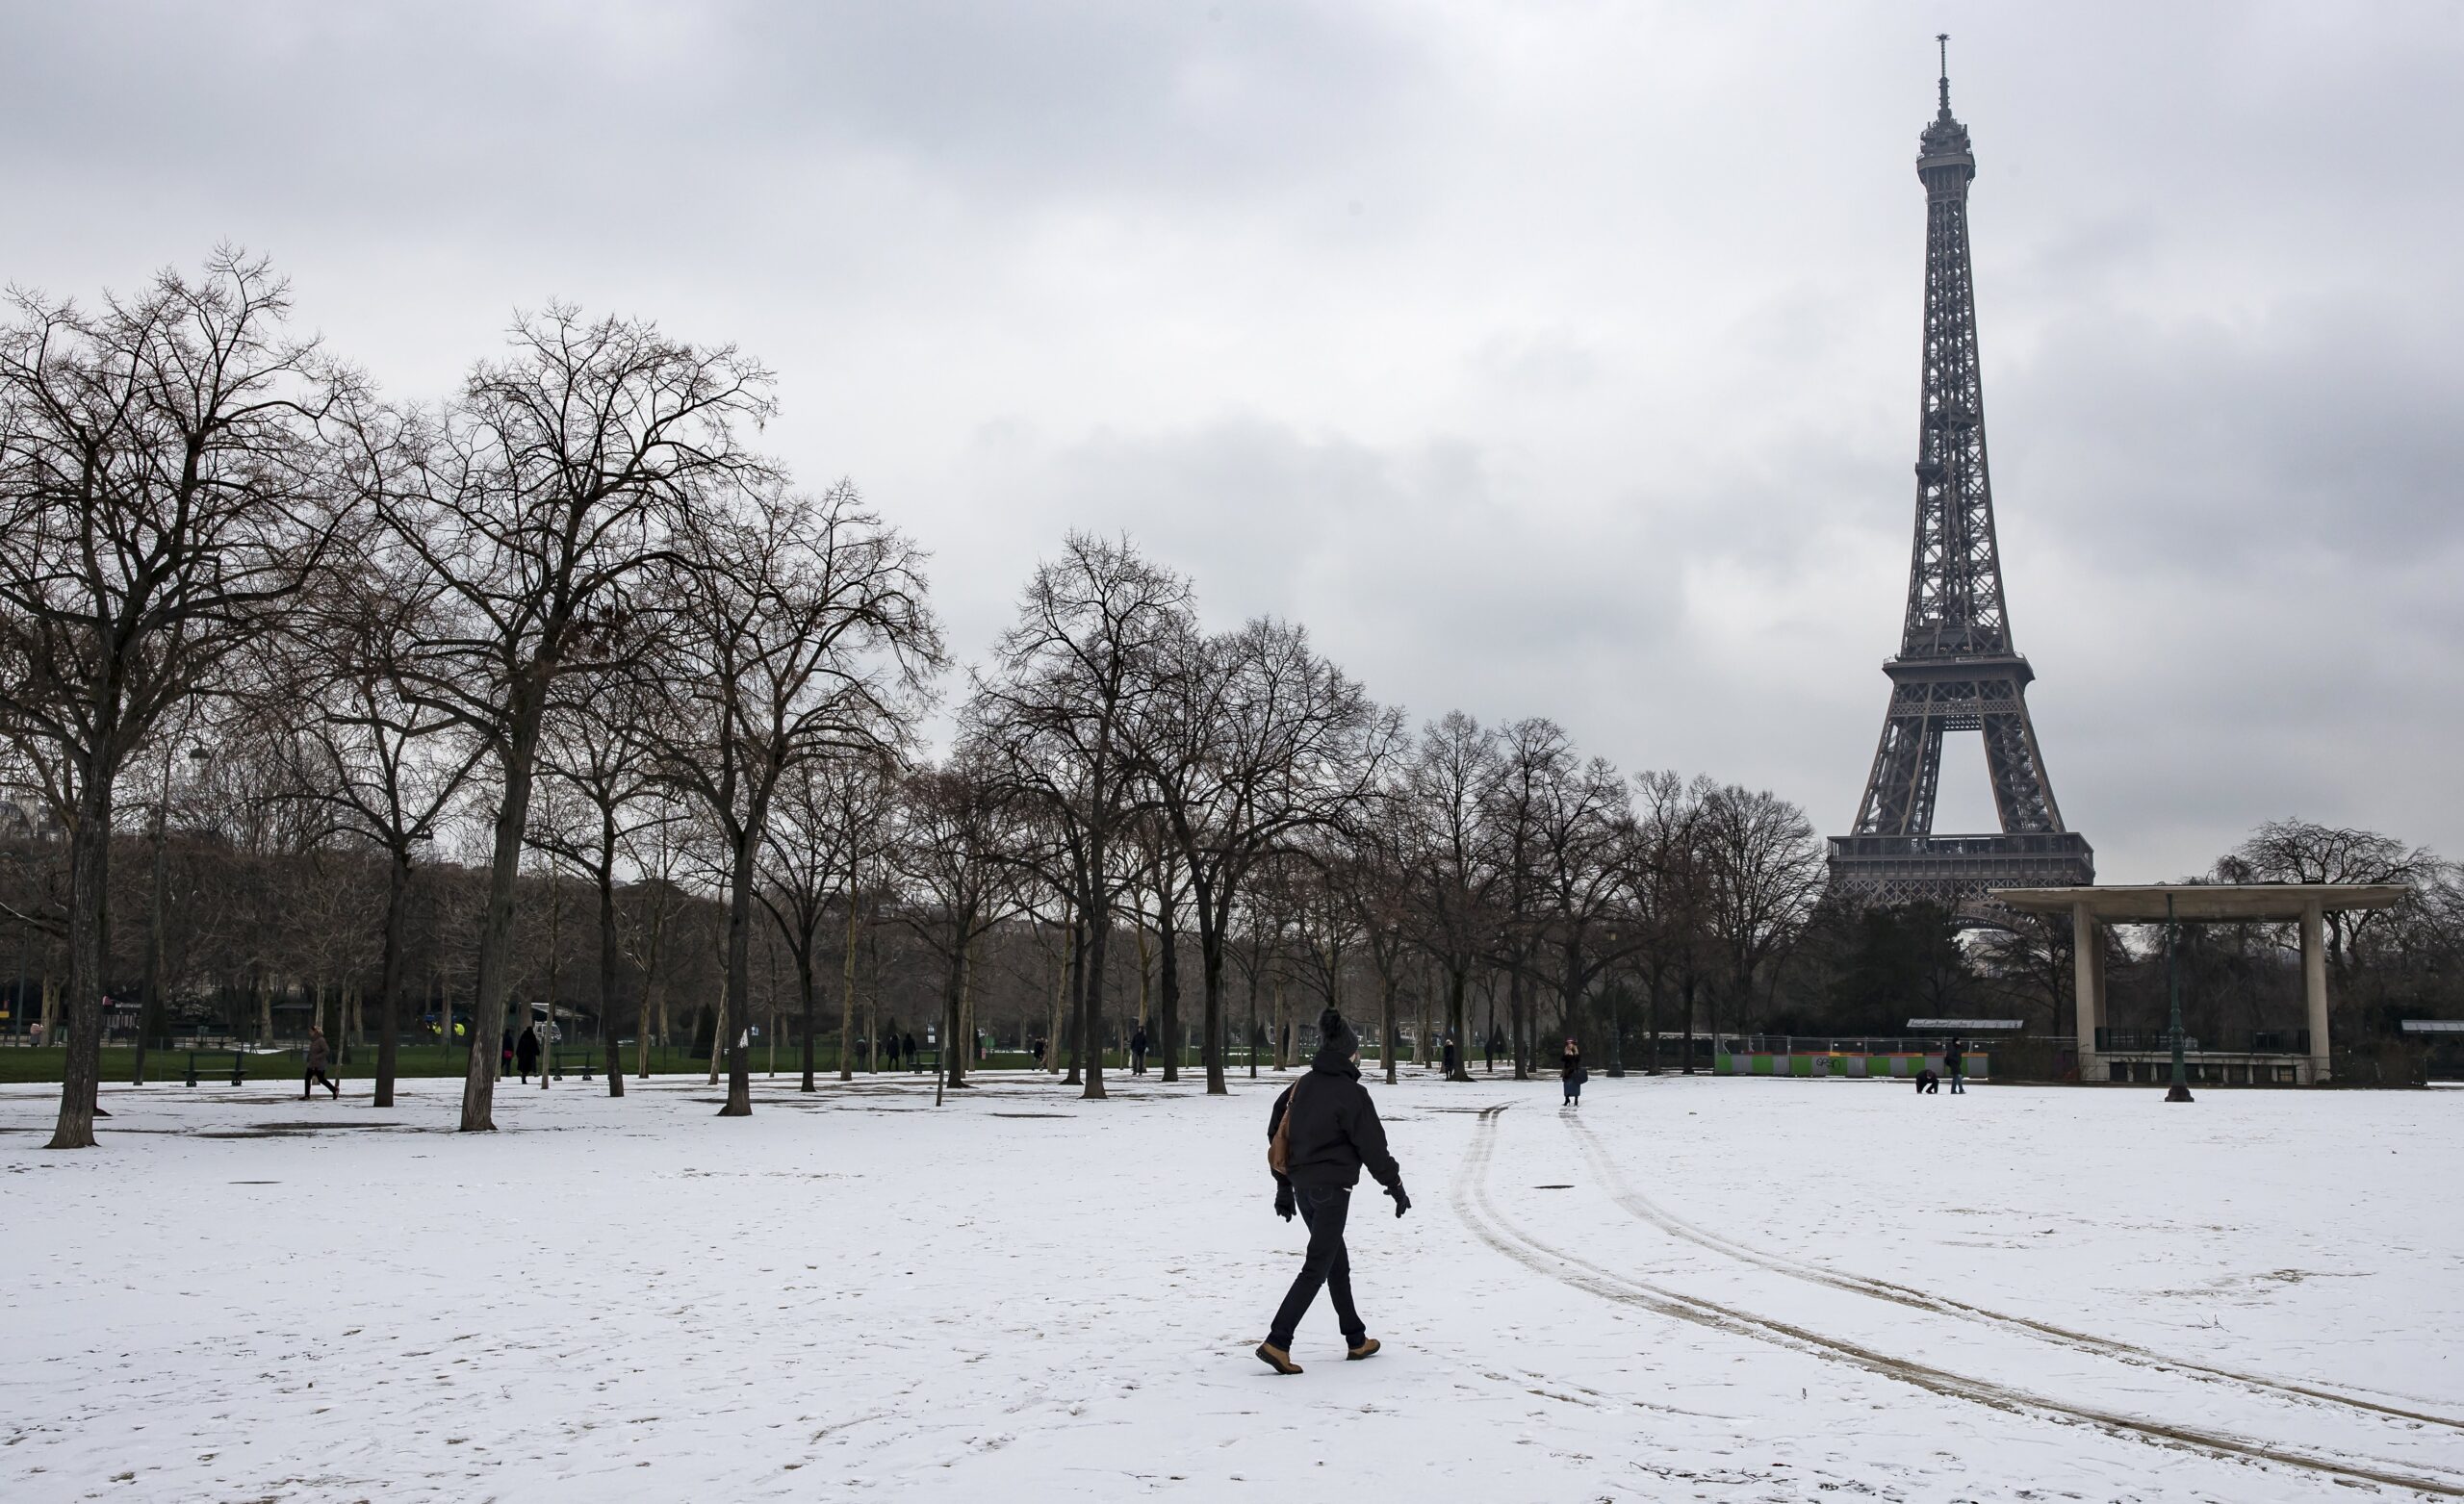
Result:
x=800 y=634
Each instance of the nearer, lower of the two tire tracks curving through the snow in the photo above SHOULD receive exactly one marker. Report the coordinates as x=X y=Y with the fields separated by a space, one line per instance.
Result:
x=1487 y=1225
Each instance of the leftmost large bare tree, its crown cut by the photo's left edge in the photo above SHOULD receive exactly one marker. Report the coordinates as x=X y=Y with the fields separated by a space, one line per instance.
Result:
x=164 y=491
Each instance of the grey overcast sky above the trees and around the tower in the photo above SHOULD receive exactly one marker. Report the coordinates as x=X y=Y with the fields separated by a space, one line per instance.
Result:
x=1541 y=358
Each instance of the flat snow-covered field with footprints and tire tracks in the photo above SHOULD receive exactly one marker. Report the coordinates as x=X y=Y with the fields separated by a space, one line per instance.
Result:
x=1692 y=1291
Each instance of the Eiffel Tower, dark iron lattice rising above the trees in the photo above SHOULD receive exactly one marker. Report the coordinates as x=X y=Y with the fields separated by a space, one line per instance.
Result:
x=1955 y=668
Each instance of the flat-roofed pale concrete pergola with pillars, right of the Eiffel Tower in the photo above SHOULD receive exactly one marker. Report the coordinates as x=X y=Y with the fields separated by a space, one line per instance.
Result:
x=2098 y=907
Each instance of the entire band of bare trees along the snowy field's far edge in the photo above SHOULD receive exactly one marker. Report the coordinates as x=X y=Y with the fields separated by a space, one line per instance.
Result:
x=563 y=698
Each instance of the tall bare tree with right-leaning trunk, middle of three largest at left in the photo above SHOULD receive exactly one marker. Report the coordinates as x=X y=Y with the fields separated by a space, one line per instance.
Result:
x=553 y=489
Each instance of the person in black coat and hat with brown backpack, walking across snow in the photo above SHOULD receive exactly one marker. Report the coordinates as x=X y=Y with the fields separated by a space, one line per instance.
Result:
x=1319 y=1134
